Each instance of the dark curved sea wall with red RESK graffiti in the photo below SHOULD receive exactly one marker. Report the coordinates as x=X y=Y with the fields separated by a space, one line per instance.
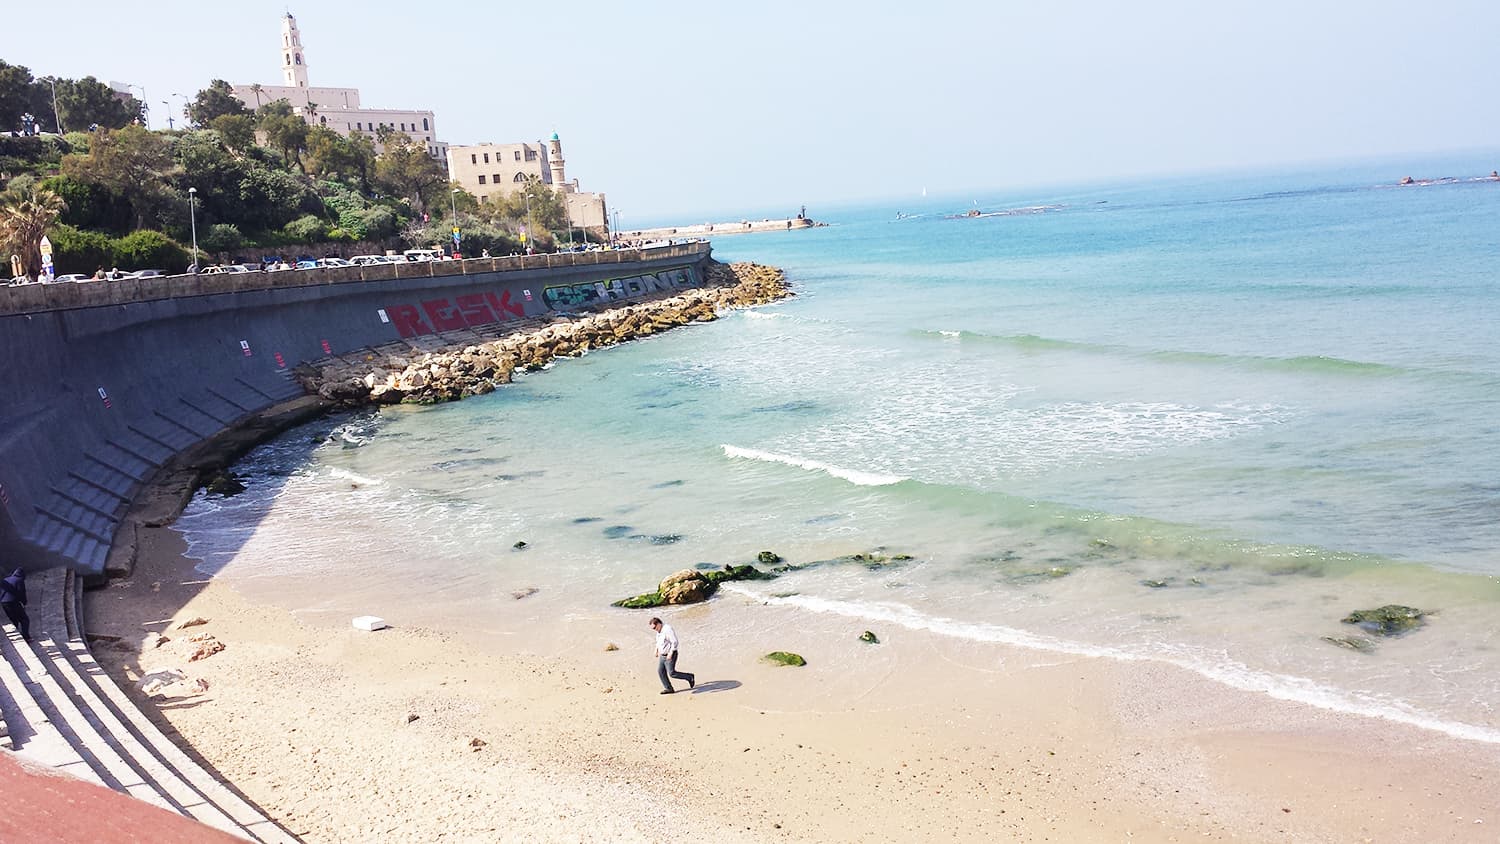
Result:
x=104 y=383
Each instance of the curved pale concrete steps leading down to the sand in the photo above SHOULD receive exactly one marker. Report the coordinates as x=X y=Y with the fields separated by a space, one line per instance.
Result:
x=62 y=710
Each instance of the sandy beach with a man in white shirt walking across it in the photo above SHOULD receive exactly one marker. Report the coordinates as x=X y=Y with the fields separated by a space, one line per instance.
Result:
x=416 y=735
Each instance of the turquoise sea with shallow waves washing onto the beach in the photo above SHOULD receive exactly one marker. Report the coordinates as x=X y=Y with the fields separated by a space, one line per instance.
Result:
x=1195 y=422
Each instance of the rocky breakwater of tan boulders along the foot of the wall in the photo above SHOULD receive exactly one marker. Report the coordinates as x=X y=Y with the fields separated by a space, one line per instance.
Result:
x=448 y=376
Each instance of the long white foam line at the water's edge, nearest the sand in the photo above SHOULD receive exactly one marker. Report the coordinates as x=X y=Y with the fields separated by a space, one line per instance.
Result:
x=1223 y=671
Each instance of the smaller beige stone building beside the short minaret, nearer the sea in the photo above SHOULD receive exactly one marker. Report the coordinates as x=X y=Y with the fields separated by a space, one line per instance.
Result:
x=500 y=170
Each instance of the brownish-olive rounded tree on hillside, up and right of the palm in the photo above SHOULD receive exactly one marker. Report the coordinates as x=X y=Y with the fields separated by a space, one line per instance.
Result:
x=131 y=163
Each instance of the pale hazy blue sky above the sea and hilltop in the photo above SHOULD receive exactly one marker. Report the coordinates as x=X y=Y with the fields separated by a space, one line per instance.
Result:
x=677 y=110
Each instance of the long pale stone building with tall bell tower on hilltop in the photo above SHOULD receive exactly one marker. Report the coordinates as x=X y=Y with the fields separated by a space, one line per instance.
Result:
x=337 y=109
